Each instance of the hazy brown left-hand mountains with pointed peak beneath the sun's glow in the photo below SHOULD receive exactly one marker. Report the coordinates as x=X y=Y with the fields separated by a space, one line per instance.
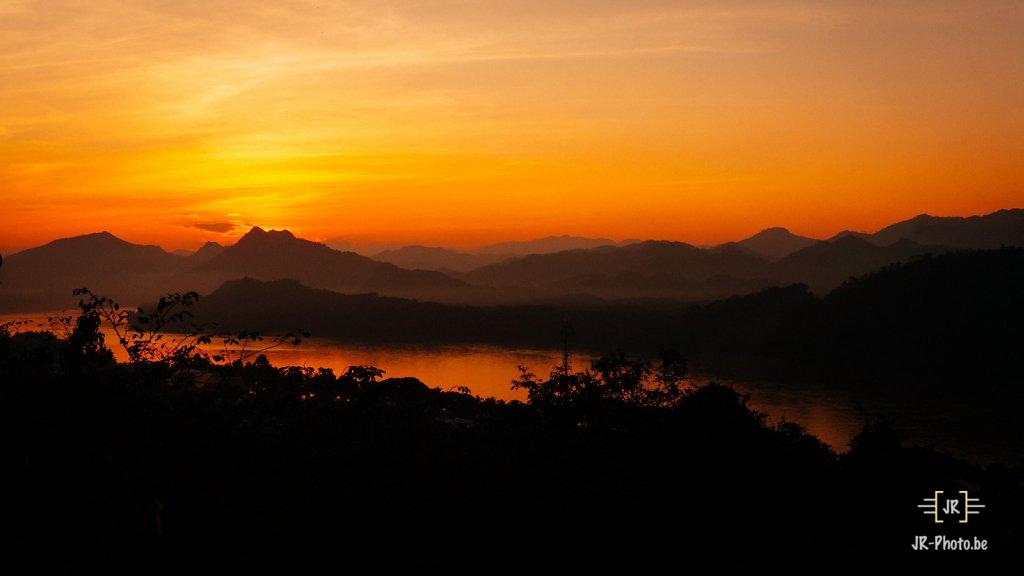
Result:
x=44 y=278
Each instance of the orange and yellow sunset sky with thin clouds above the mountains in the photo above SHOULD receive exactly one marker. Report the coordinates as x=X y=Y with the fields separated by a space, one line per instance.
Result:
x=462 y=124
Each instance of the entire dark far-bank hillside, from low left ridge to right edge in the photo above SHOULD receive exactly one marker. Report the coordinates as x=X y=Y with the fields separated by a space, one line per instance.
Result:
x=938 y=319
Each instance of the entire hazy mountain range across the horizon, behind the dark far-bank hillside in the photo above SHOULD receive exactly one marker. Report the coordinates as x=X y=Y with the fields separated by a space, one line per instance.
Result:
x=42 y=278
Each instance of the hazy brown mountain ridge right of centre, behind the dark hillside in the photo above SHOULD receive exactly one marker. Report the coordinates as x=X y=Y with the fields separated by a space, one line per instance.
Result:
x=679 y=270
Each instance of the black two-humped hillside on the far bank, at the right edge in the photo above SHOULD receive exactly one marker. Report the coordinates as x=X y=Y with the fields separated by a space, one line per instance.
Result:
x=935 y=319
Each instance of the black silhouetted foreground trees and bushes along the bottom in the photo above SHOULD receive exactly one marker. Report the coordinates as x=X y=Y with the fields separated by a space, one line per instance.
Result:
x=181 y=463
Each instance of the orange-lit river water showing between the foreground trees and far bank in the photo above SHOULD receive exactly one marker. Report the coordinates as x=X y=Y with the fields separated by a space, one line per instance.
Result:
x=833 y=416
